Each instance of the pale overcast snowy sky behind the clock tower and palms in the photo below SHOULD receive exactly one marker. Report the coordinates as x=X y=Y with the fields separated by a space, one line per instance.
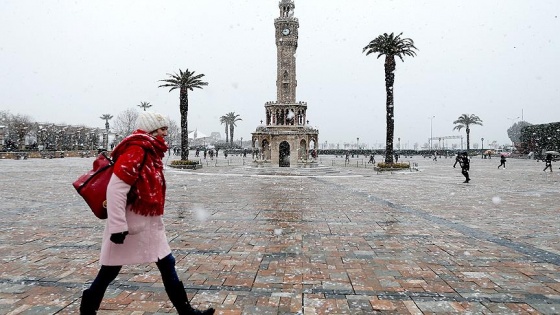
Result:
x=72 y=61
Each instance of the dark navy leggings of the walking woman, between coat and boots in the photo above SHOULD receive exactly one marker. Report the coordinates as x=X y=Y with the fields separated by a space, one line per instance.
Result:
x=107 y=274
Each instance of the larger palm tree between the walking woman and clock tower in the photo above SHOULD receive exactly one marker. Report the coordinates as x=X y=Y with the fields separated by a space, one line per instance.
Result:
x=184 y=81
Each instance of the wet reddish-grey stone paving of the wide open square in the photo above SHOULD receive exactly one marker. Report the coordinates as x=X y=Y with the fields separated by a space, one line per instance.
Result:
x=328 y=240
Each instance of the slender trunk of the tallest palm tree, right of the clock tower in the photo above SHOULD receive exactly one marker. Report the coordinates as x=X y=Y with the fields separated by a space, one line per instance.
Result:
x=389 y=81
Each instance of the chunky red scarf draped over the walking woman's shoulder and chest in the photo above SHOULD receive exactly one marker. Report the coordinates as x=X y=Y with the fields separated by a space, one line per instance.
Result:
x=138 y=163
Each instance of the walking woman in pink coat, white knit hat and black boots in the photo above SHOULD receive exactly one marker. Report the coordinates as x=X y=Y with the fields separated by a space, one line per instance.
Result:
x=134 y=232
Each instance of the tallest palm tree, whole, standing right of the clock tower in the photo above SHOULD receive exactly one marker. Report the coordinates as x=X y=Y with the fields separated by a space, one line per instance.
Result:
x=390 y=46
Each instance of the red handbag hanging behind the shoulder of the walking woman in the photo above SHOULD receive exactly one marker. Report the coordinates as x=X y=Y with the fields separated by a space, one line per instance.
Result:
x=92 y=186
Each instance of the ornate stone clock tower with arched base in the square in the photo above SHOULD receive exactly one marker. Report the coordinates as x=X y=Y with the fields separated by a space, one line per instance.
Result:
x=285 y=139
